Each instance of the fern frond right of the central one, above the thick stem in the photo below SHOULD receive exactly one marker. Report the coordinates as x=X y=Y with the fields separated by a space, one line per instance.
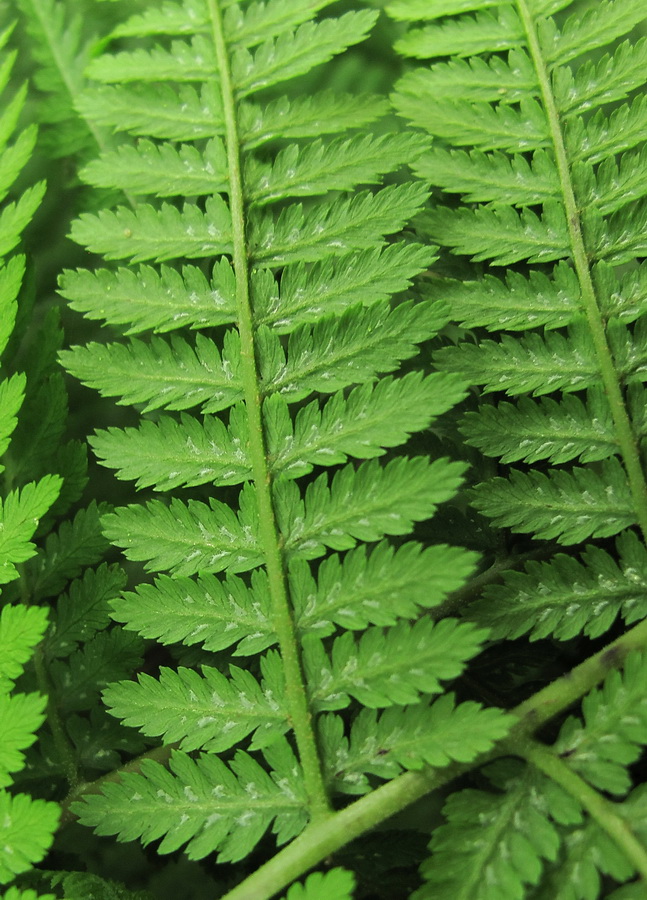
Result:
x=546 y=144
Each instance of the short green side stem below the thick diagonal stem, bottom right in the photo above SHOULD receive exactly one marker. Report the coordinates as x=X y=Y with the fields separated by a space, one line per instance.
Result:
x=598 y=807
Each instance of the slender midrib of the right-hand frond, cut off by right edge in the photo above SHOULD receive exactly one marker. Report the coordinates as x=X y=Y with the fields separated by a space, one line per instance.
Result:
x=626 y=438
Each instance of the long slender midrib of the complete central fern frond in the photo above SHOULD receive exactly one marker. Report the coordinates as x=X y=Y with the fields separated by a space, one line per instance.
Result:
x=300 y=715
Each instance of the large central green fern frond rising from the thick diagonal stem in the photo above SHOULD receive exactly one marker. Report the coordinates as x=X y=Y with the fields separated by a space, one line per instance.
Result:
x=259 y=335
